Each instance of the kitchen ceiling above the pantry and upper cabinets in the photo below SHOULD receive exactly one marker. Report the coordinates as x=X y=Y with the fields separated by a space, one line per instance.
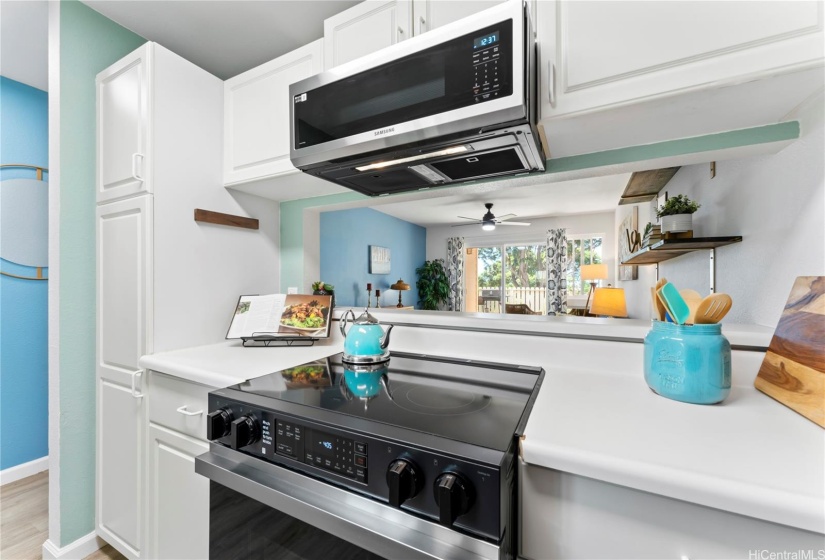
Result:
x=224 y=37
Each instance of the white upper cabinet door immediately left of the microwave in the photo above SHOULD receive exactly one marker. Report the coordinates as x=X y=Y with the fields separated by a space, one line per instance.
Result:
x=256 y=115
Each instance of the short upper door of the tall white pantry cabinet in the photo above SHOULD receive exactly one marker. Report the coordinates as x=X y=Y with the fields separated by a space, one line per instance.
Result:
x=123 y=105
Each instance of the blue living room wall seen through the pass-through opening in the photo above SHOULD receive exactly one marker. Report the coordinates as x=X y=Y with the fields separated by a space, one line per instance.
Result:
x=346 y=236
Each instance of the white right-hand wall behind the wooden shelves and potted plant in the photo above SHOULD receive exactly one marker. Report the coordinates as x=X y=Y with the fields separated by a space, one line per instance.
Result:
x=776 y=203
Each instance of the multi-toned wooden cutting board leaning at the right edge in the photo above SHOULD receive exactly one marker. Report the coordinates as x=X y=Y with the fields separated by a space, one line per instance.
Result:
x=793 y=371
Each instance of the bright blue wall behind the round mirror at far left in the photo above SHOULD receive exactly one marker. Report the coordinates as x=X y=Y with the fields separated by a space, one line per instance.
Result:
x=24 y=374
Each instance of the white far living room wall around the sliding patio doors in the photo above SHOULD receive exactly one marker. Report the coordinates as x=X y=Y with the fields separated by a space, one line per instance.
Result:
x=601 y=223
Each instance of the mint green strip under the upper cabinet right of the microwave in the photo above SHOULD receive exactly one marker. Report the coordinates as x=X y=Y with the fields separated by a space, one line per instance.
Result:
x=724 y=140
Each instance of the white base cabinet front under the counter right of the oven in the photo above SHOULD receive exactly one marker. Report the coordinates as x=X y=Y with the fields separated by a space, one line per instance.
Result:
x=567 y=516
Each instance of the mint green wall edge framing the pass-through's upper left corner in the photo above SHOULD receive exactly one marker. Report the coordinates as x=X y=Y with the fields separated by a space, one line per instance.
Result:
x=292 y=234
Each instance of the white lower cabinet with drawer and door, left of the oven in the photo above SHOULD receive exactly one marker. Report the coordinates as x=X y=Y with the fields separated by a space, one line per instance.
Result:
x=177 y=498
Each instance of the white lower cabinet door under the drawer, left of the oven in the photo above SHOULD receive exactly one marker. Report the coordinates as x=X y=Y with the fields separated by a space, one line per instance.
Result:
x=178 y=497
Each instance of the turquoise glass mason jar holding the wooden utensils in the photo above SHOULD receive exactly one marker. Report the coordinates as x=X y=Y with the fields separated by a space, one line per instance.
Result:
x=688 y=363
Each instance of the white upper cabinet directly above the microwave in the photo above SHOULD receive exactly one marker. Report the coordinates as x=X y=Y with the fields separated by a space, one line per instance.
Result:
x=375 y=24
